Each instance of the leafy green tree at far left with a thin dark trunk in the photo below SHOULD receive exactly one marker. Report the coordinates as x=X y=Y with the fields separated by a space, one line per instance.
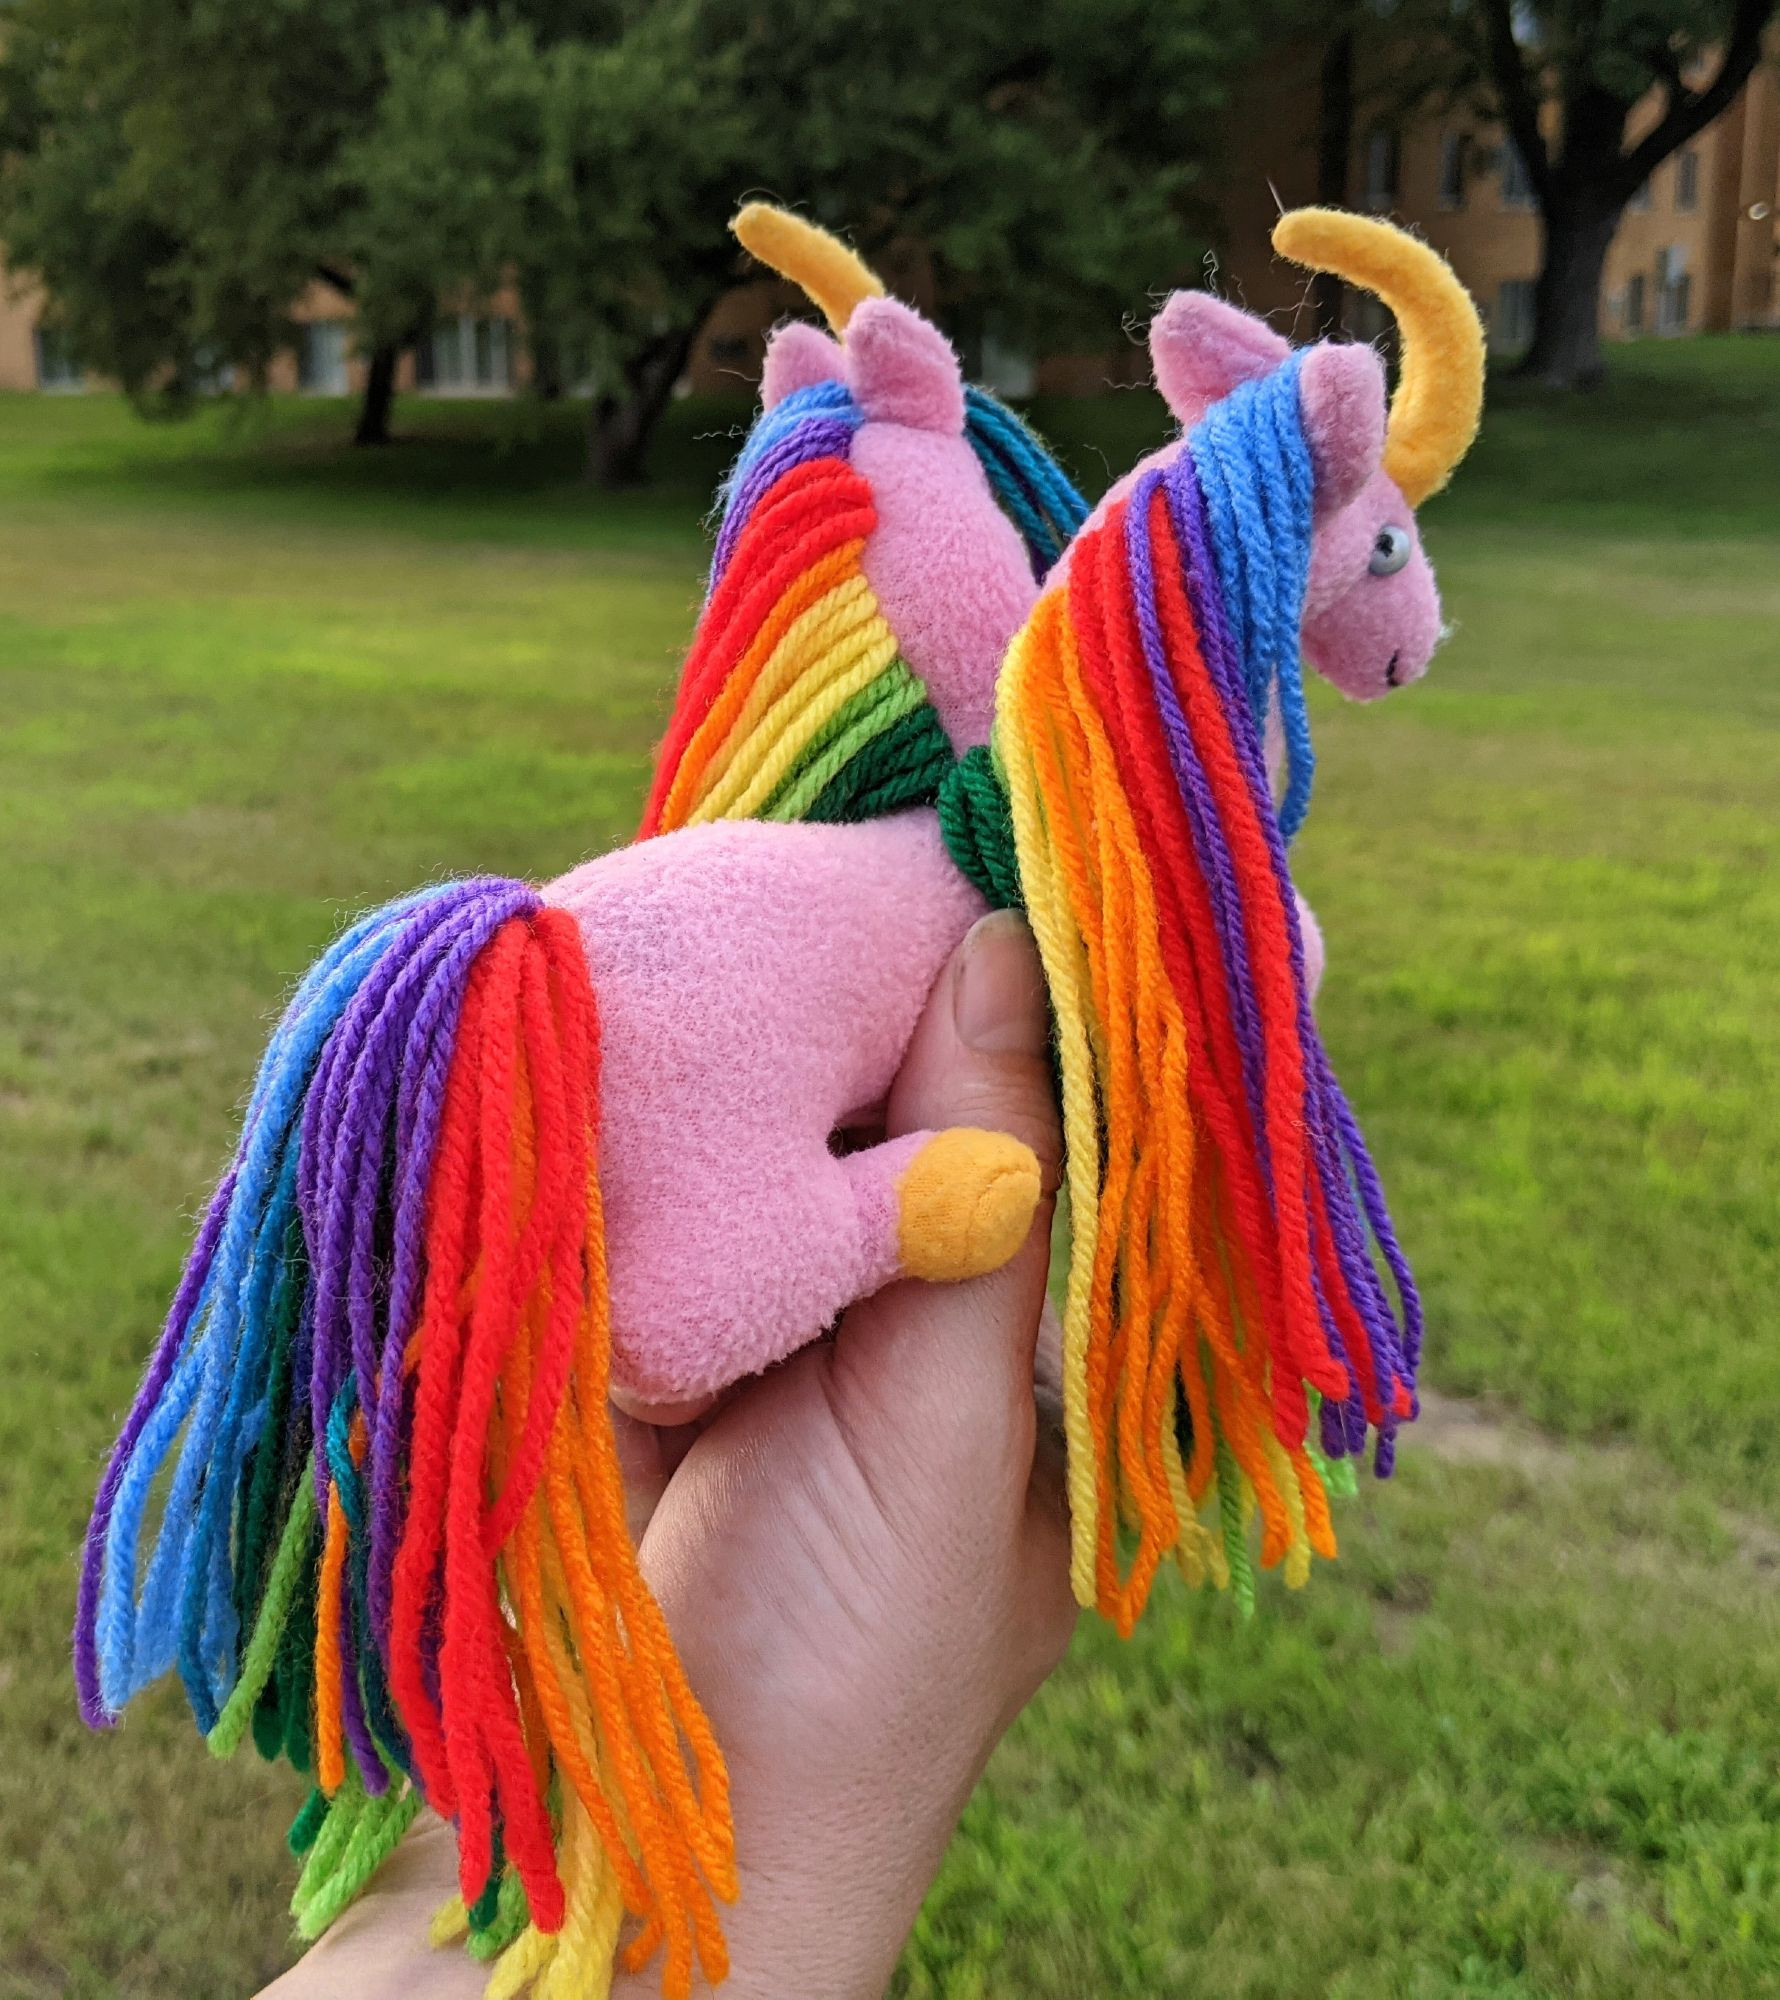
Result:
x=199 y=149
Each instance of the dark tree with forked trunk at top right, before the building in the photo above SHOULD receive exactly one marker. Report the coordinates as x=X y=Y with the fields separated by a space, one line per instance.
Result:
x=1599 y=59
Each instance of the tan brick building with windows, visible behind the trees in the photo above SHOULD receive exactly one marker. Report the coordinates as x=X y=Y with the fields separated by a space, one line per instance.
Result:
x=1695 y=253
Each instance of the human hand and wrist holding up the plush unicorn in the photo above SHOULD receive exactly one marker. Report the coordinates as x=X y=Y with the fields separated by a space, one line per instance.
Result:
x=865 y=1557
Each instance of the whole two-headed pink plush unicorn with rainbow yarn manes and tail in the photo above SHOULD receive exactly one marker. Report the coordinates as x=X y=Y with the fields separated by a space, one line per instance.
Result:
x=517 y=1147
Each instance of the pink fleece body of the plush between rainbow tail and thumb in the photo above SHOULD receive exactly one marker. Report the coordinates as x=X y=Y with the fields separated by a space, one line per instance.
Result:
x=759 y=987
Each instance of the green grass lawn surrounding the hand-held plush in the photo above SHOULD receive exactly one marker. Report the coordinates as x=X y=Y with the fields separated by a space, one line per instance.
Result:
x=1527 y=1737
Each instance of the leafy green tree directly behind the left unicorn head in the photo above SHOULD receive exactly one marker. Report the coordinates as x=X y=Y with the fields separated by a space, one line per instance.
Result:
x=1043 y=153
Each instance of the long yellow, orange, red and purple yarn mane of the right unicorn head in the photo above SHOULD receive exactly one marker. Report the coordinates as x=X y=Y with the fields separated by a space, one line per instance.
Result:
x=1229 y=1325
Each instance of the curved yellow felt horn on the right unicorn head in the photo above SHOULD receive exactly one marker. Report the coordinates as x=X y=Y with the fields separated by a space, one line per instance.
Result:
x=1441 y=387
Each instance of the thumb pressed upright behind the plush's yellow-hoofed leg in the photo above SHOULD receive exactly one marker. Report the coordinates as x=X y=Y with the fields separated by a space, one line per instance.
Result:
x=981 y=1057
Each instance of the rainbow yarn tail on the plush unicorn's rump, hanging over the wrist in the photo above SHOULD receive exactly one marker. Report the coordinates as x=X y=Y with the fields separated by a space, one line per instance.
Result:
x=393 y=1539
